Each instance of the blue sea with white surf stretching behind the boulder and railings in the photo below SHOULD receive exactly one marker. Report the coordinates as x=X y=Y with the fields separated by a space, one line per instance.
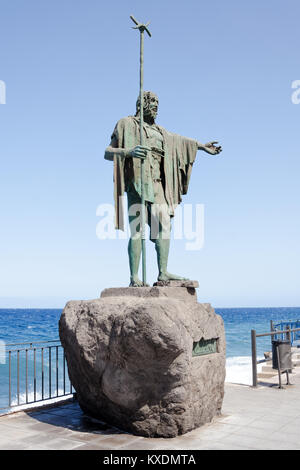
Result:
x=37 y=325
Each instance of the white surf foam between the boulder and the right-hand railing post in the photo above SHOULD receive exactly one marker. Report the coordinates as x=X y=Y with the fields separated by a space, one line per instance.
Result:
x=239 y=369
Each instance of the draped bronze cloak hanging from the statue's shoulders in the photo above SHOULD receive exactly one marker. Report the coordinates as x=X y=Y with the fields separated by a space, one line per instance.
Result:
x=179 y=156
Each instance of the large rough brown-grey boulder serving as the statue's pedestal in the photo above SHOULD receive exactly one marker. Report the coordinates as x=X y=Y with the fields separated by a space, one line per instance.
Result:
x=130 y=360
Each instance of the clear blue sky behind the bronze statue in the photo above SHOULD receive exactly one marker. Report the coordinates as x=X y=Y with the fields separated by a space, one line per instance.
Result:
x=222 y=70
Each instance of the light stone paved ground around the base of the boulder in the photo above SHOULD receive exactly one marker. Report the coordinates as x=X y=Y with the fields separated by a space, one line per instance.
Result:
x=262 y=418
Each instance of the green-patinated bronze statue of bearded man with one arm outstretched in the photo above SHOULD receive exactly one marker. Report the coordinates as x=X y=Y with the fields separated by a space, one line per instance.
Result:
x=168 y=161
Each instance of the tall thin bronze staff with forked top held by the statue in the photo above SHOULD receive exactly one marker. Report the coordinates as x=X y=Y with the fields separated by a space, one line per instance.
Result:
x=142 y=27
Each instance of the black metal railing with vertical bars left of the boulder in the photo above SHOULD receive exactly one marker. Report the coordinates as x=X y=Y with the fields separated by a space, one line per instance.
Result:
x=33 y=372
